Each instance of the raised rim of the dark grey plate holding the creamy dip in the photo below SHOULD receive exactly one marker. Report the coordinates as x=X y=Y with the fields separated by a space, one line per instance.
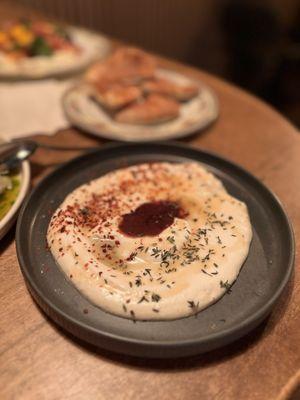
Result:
x=228 y=335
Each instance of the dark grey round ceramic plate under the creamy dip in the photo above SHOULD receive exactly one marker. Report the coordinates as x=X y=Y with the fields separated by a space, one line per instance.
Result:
x=261 y=281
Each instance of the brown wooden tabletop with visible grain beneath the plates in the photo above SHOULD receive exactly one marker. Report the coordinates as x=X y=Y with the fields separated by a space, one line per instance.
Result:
x=40 y=361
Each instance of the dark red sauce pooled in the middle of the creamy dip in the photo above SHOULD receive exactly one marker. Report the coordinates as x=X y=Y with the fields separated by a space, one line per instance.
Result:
x=150 y=219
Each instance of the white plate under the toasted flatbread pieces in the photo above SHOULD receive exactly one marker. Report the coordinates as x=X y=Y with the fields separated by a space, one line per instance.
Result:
x=196 y=114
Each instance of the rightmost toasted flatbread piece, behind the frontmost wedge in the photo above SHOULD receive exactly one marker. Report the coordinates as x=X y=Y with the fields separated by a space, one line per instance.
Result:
x=169 y=88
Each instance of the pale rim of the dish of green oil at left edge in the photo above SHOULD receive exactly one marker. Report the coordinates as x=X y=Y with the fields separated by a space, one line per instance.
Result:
x=7 y=221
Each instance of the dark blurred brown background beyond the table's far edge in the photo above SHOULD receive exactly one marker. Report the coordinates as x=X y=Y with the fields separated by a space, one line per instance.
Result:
x=254 y=44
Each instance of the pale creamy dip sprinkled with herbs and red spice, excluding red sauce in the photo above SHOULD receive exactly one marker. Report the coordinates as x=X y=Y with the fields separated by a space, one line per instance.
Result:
x=178 y=272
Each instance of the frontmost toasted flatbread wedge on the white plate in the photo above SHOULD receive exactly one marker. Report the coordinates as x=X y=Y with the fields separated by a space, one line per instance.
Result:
x=154 y=109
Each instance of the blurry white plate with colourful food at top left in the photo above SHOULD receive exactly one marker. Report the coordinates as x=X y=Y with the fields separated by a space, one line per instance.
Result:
x=94 y=46
